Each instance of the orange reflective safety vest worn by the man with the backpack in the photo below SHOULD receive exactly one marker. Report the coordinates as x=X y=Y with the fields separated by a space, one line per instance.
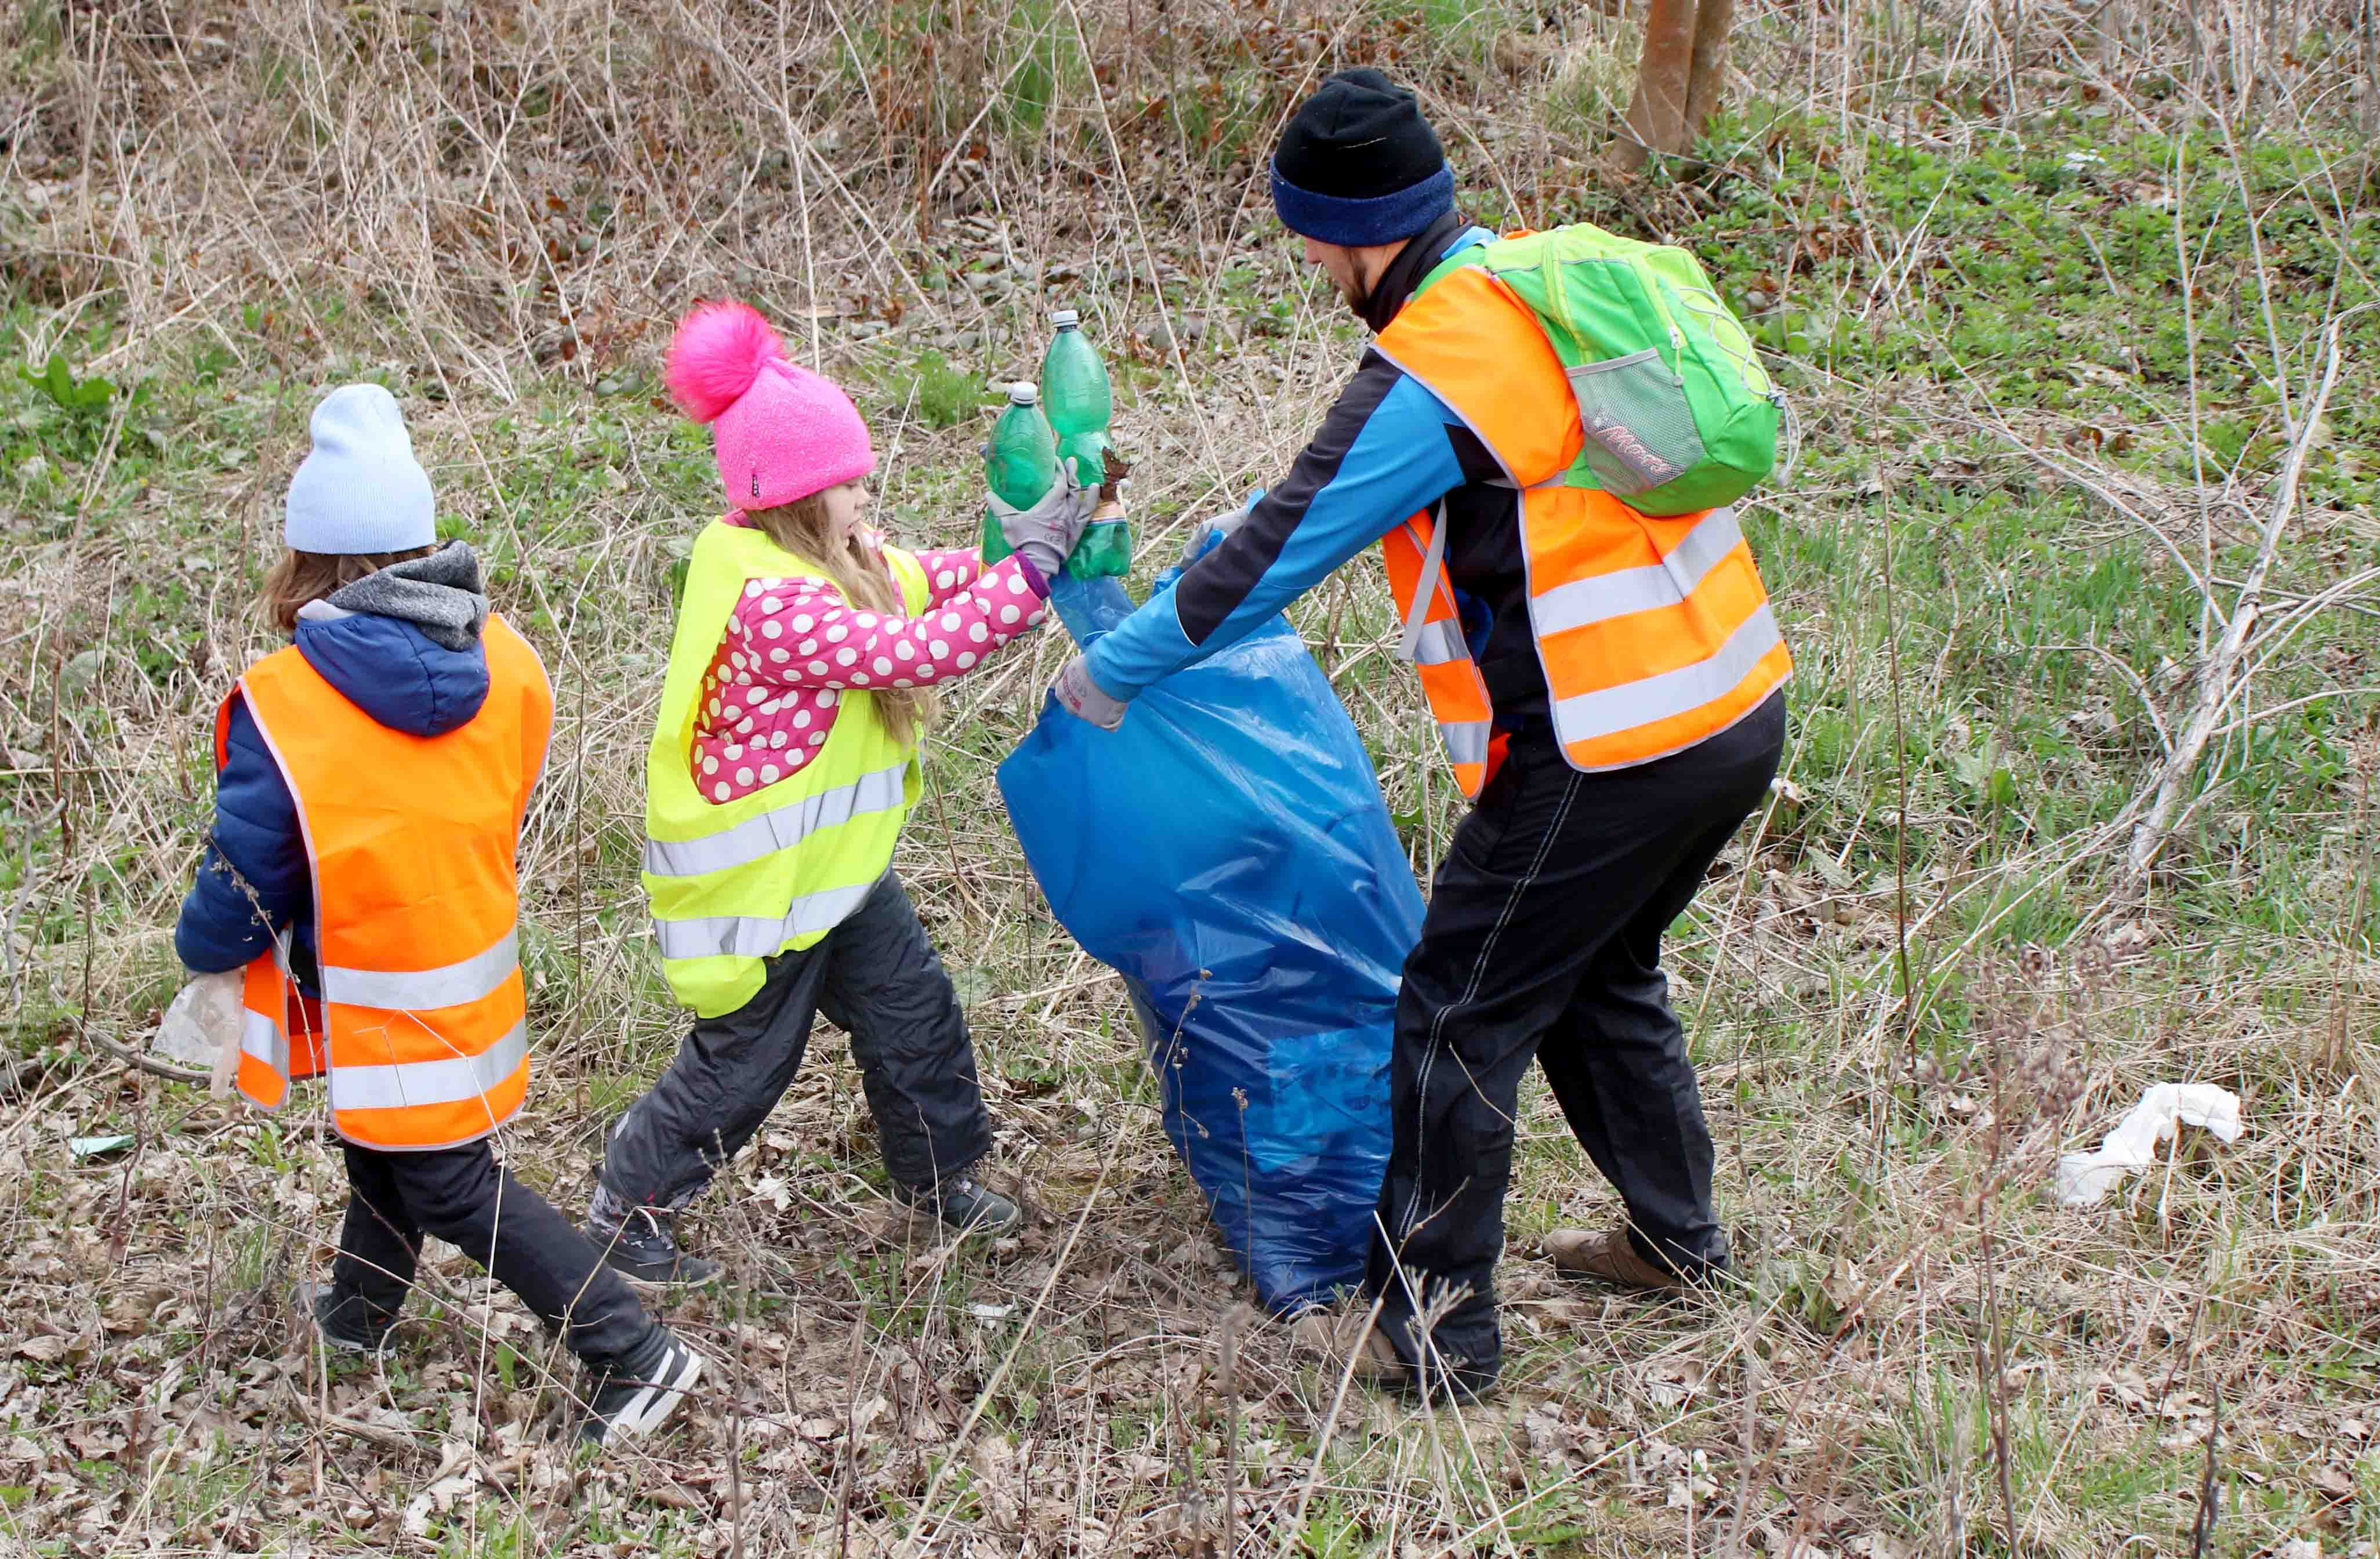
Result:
x=1655 y=634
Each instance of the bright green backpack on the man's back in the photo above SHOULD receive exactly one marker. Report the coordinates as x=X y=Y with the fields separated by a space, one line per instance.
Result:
x=1674 y=401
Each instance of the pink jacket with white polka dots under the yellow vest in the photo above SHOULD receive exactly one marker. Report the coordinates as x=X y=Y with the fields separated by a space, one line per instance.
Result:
x=794 y=649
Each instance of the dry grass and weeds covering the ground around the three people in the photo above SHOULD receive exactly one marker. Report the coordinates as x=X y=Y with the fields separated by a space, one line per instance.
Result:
x=501 y=206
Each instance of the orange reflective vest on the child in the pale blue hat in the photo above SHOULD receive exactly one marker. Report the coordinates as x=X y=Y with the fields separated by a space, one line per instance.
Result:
x=411 y=839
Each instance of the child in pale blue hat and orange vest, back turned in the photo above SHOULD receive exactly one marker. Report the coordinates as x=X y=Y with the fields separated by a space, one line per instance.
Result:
x=370 y=794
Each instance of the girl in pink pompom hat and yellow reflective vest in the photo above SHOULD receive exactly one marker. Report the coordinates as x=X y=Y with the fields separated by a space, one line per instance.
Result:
x=801 y=680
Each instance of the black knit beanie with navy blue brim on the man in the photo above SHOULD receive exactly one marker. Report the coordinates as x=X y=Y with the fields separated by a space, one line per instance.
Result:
x=1360 y=165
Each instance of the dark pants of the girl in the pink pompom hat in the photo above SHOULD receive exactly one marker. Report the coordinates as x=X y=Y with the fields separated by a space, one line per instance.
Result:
x=879 y=979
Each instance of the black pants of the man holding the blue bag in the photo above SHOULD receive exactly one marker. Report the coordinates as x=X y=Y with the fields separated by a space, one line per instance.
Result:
x=1543 y=941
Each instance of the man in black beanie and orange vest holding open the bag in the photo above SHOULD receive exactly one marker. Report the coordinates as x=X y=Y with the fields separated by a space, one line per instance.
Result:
x=1608 y=689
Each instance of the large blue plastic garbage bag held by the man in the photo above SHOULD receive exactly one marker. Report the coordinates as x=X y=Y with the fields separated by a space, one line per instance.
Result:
x=1227 y=851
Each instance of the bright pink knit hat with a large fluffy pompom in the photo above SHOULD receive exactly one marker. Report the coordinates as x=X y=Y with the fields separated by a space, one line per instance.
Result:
x=779 y=430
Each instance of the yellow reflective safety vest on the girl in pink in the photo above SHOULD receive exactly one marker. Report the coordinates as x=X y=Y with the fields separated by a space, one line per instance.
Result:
x=734 y=884
